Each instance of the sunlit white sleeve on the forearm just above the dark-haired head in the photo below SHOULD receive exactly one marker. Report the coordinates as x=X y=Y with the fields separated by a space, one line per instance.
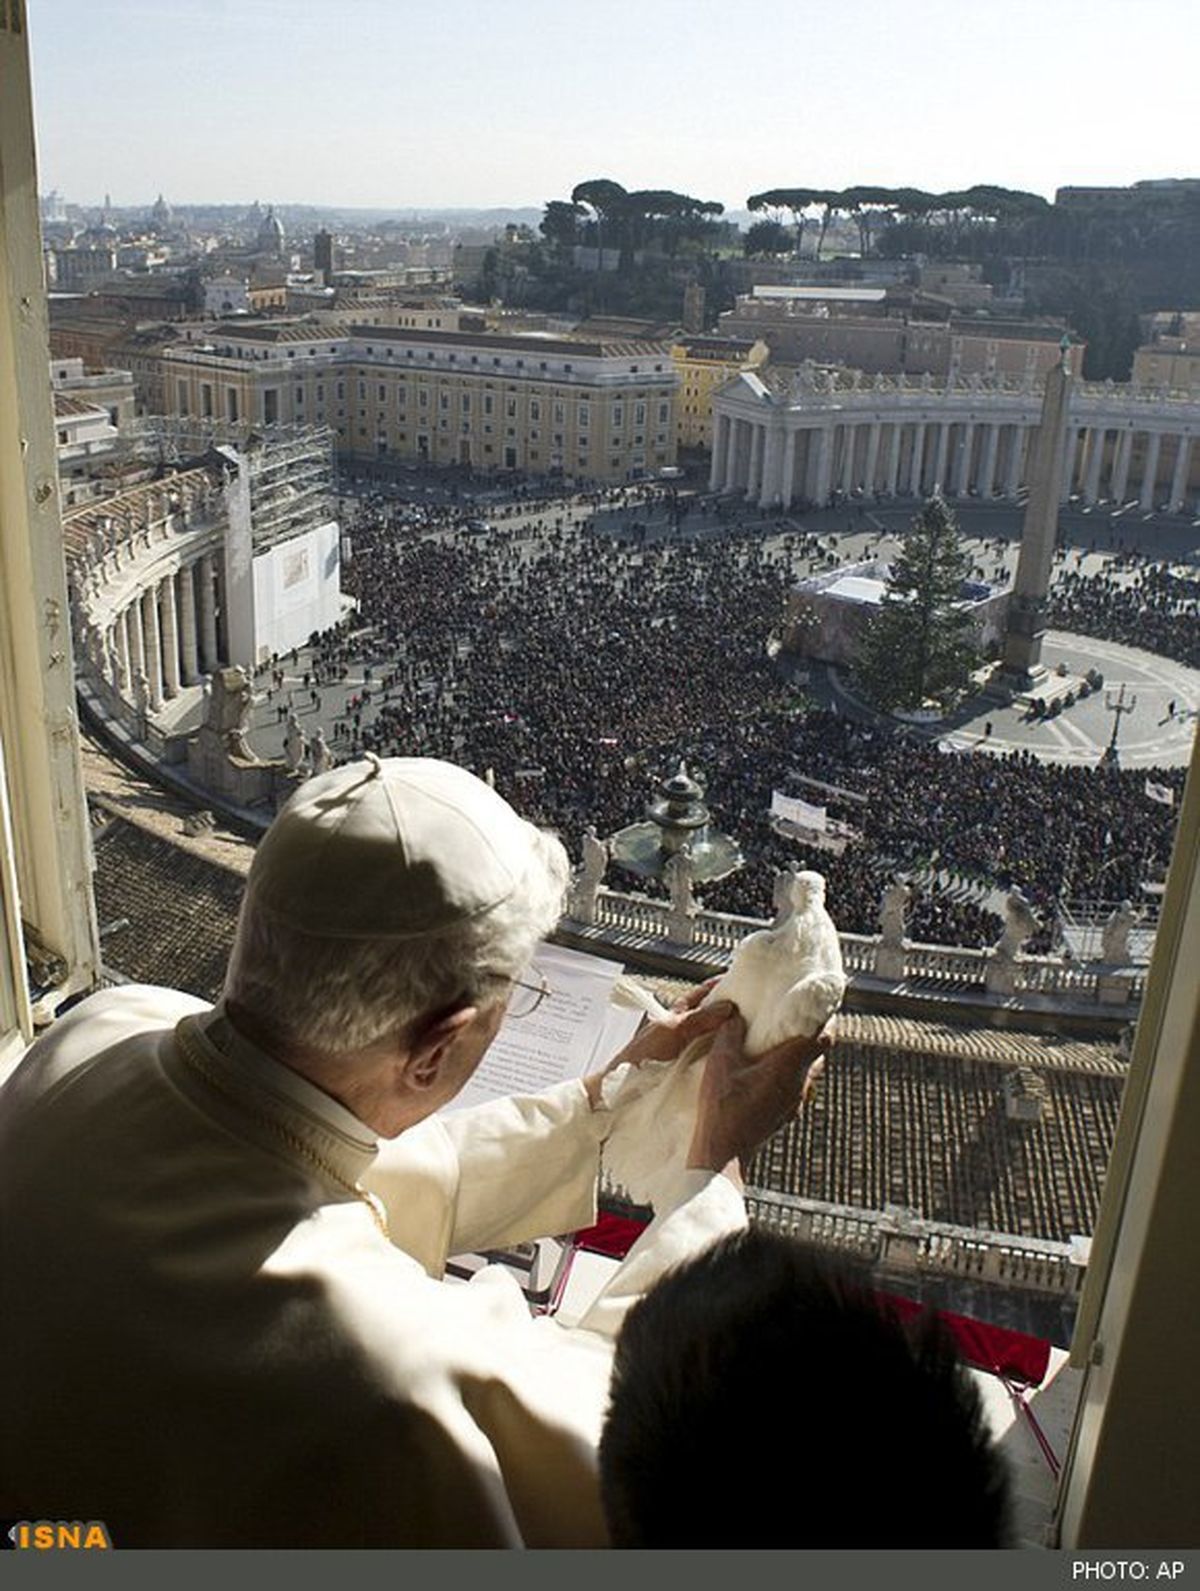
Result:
x=695 y=1210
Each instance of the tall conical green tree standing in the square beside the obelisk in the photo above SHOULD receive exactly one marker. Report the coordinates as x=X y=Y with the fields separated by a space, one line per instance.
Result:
x=918 y=647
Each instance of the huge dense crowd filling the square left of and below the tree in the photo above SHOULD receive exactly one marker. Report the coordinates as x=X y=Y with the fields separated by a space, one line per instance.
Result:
x=582 y=669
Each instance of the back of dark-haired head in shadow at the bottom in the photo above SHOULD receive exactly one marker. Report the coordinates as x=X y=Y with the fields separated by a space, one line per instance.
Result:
x=765 y=1398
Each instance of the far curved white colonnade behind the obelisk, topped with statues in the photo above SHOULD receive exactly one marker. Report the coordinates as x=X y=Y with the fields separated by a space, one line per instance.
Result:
x=782 y=454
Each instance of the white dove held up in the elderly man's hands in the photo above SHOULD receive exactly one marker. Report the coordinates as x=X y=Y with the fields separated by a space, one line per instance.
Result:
x=787 y=981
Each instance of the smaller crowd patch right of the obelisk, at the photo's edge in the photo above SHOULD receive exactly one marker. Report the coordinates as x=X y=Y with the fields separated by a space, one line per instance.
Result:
x=1134 y=601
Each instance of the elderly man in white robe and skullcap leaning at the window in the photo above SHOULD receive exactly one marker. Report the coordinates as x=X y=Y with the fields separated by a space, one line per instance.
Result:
x=224 y=1229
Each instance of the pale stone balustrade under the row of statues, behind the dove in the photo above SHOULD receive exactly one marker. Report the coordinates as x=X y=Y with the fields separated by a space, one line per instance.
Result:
x=707 y=939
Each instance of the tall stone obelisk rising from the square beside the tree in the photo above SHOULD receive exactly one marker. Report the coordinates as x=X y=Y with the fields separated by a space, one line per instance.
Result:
x=1026 y=626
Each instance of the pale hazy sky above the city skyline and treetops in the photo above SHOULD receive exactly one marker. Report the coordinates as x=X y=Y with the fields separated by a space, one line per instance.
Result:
x=512 y=103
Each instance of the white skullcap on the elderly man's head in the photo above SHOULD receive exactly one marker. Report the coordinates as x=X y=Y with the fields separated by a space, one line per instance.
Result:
x=391 y=849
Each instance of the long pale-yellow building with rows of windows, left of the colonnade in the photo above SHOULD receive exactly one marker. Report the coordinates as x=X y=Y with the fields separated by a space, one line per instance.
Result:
x=494 y=403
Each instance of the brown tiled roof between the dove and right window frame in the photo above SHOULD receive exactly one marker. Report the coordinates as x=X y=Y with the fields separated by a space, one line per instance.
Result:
x=914 y=1114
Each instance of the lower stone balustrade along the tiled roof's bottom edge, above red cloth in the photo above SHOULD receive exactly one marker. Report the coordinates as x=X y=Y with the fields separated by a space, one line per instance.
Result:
x=905 y=1243
